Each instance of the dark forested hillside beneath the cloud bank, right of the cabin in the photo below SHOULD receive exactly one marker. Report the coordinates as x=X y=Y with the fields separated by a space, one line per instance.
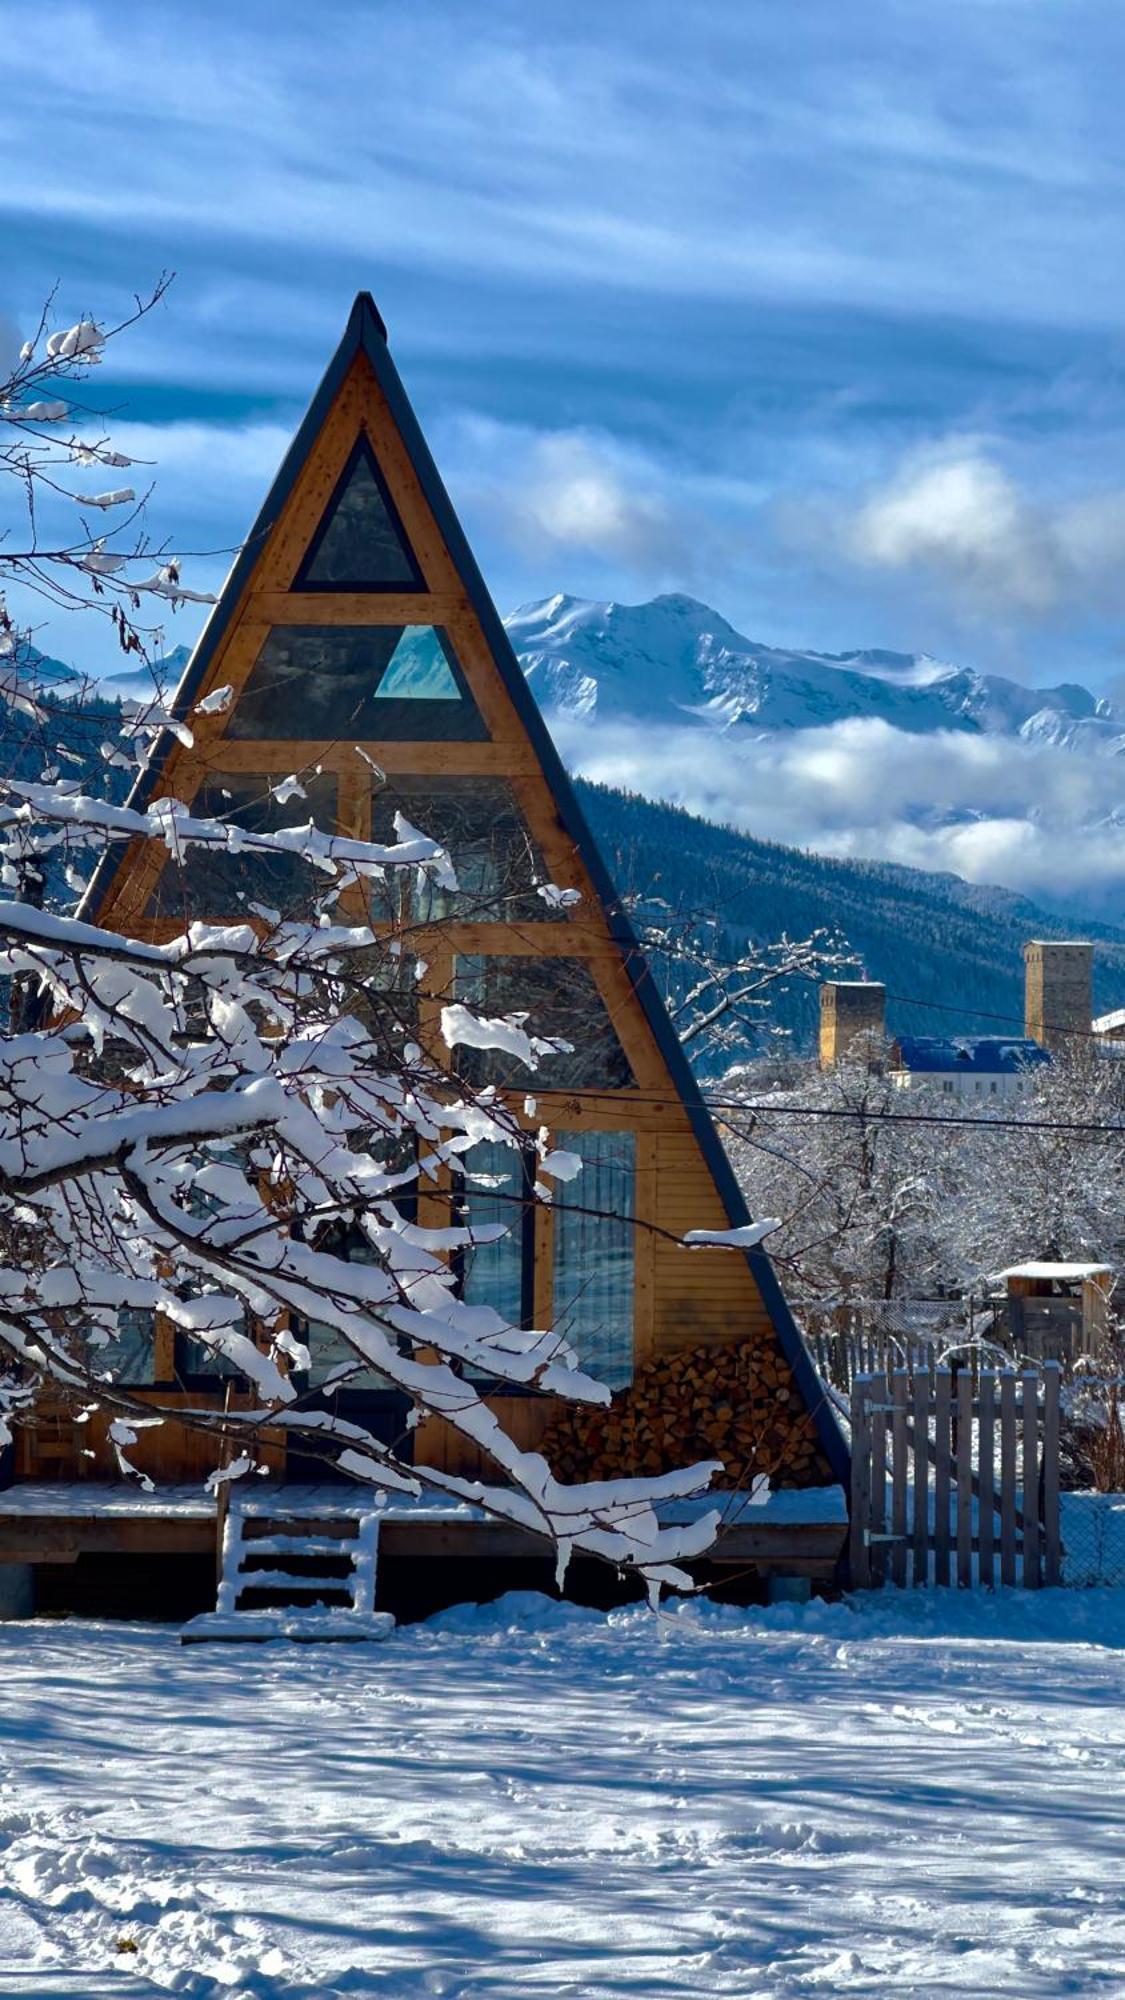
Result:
x=948 y=951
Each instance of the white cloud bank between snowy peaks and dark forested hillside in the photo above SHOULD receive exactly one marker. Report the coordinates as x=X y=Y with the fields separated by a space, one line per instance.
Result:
x=1040 y=821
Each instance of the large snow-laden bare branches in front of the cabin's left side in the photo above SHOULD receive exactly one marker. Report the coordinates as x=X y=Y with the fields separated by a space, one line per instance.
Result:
x=193 y=1129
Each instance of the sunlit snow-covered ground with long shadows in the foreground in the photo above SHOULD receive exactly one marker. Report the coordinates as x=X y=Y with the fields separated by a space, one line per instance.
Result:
x=924 y=1795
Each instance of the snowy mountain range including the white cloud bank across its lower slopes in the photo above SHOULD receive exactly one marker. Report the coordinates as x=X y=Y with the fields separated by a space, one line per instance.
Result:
x=886 y=757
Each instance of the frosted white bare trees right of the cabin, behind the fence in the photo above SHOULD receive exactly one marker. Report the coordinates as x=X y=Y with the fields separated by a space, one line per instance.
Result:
x=914 y=1195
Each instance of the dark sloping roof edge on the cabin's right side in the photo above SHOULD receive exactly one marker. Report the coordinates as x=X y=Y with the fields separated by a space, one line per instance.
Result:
x=437 y=499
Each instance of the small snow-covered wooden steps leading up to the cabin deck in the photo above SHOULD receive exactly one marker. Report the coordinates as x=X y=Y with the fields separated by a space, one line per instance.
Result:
x=289 y=1575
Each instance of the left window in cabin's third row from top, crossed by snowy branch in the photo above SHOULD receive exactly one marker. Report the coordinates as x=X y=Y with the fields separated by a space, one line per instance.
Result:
x=213 y=883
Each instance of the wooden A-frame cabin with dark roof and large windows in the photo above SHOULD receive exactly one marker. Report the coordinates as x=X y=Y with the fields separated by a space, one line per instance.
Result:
x=357 y=617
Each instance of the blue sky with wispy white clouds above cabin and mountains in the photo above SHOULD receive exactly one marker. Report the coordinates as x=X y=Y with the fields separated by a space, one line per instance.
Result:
x=810 y=311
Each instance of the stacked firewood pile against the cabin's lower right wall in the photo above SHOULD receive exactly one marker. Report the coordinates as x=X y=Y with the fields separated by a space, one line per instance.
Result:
x=732 y=1403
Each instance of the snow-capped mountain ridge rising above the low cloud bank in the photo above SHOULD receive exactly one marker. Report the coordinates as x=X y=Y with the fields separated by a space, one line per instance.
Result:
x=678 y=659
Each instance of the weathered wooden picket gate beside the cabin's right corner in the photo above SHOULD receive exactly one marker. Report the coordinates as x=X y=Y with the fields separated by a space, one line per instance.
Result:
x=956 y=1479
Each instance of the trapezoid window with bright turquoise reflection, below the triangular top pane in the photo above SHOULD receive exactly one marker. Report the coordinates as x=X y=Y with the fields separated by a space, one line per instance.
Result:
x=361 y=683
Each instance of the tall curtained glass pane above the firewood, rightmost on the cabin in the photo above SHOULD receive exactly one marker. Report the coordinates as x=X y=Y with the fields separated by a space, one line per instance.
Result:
x=596 y=1253
